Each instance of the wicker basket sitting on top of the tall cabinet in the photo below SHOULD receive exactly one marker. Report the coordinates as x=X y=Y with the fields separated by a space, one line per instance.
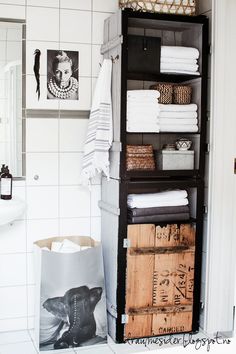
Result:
x=183 y=7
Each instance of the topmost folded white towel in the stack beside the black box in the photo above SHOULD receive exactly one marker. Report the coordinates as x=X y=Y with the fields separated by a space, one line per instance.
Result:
x=179 y=52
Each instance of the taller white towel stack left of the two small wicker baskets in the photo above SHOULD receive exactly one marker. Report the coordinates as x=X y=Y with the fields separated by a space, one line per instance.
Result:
x=142 y=111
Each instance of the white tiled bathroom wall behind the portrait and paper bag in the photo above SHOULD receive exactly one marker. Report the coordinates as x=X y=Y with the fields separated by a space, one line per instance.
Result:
x=57 y=204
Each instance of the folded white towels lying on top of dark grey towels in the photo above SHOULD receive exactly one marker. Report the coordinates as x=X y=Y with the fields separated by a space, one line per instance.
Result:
x=162 y=199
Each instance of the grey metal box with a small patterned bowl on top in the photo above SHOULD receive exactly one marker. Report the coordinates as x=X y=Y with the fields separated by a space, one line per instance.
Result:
x=175 y=160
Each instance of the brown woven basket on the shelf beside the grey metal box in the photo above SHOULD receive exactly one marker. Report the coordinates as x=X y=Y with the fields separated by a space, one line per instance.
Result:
x=140 y=157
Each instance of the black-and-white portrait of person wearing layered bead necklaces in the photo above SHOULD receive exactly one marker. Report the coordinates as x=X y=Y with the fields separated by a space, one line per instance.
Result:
x=62 y=74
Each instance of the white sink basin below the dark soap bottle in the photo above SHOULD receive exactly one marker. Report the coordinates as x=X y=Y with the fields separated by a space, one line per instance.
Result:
x=11 y=210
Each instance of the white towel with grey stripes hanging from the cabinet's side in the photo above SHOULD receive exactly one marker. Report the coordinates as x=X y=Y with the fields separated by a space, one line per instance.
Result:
x=100 y=130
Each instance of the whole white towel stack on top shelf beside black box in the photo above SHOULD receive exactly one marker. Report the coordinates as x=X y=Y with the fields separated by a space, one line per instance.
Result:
x=175 y=59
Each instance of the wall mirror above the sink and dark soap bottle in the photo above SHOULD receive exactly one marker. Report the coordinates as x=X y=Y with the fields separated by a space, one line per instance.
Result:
x=11 y=35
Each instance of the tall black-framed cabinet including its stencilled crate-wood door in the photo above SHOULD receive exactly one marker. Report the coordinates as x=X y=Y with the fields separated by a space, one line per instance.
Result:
x=172 y=30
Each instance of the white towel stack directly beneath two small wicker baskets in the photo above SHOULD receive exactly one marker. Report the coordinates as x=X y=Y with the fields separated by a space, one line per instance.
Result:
x=178 y=118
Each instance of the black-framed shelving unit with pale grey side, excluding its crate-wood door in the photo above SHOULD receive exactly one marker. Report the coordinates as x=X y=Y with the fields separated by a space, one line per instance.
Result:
x=194 y=32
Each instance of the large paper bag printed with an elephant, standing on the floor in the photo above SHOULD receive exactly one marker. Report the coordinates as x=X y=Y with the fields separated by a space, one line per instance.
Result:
x=70 y=295
